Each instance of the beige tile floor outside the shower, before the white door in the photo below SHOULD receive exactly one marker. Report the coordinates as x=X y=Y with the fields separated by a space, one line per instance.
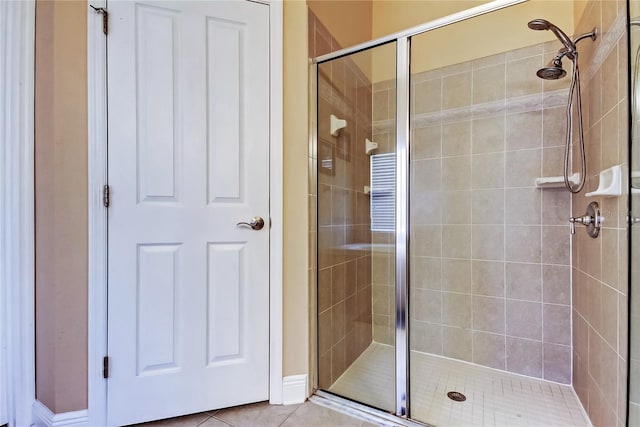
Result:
x=262 y=414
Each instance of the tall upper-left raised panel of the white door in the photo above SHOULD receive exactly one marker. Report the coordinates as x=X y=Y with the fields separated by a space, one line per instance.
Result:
x=158 y=105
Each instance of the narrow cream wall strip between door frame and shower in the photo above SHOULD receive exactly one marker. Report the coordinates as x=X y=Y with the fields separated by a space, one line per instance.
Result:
x=296 y=169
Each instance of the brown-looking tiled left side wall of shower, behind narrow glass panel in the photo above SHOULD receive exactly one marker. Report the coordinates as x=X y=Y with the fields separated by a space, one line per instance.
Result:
x=344 y=297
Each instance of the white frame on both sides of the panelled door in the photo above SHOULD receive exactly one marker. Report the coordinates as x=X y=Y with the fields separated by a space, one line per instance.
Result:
x=97 y=224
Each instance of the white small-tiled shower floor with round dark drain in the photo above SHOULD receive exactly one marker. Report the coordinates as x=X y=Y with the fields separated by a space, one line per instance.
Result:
x=494 y=398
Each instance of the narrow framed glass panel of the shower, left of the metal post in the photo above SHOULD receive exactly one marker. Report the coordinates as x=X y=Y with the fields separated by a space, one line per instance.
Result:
x=356 y=226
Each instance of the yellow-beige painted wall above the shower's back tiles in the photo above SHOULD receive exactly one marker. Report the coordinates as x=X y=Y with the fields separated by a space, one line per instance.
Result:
x=499 y=31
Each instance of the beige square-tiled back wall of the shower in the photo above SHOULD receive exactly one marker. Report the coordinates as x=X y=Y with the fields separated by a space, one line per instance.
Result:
x=490 y=263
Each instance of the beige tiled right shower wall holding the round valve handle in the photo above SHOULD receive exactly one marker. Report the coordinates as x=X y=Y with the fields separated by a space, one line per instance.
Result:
x=600 y=265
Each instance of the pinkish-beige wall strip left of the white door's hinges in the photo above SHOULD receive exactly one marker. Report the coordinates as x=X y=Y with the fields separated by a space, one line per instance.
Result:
x=61 y=205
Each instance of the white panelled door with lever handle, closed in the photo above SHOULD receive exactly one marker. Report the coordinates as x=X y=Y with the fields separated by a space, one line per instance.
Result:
x=188 y=95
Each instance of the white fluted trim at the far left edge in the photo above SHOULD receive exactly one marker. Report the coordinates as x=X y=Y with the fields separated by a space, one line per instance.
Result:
x=17 y=228
